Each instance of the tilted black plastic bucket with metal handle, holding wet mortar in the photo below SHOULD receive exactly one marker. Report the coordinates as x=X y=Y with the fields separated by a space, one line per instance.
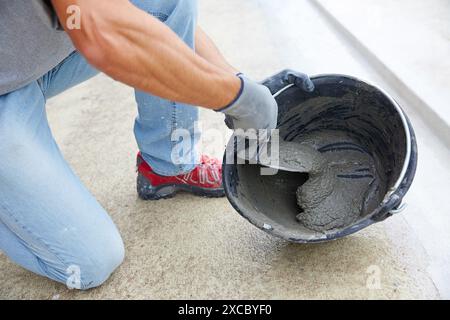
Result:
x=370 y=115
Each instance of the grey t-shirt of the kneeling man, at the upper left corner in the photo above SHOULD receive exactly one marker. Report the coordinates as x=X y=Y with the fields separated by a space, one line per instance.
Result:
x=30 y=42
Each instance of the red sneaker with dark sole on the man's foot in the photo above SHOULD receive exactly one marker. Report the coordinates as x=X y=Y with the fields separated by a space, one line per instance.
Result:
x=205 y=180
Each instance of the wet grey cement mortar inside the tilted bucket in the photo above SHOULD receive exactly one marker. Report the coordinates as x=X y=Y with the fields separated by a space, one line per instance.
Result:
x=343 y=180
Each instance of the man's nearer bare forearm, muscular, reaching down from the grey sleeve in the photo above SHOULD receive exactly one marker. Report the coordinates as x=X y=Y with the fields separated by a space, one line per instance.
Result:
x=137 y=49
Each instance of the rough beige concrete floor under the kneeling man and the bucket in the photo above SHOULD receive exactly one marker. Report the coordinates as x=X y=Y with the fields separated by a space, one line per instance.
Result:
x=190 y=247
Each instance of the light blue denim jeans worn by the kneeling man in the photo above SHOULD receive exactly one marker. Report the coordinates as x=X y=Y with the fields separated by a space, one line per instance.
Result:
x=49 y=222
